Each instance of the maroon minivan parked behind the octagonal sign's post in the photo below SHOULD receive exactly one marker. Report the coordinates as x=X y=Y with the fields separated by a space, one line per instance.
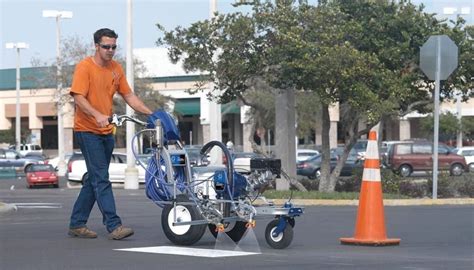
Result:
x=407 y=157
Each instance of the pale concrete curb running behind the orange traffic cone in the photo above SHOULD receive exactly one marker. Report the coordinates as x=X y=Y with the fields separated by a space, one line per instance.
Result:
x=388 y=202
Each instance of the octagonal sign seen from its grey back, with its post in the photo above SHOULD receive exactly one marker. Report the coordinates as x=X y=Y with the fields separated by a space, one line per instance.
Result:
x=438 y=59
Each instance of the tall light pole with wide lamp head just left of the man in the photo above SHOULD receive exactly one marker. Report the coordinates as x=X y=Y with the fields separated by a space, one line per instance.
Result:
x=59 y=86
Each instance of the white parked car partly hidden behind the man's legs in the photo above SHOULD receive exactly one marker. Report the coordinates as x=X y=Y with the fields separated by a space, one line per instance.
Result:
x=77 y=170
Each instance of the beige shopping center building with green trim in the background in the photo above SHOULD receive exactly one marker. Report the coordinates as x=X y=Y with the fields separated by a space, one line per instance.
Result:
x=39 y=114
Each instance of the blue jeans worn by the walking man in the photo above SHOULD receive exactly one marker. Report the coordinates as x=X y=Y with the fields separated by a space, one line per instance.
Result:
x=97 y=151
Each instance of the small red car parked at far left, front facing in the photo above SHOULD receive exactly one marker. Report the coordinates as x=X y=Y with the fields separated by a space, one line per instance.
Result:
x=41 y=174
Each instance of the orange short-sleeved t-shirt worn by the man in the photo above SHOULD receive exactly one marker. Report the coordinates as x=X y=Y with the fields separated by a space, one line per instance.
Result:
x=98 y=85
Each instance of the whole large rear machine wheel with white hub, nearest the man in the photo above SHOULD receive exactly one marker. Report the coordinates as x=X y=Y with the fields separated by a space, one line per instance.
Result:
x=183 y=234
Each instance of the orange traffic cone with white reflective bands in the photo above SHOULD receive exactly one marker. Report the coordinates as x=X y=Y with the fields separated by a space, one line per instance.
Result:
x=370 y=222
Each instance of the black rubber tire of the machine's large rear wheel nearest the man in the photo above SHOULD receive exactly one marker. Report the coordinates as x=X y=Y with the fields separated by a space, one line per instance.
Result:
x=194 y=233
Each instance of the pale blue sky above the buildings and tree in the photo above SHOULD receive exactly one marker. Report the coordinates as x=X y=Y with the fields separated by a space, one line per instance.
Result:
x=22 y=21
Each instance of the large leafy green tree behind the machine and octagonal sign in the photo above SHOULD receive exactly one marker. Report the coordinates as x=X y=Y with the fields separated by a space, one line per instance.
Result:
x=360 y=54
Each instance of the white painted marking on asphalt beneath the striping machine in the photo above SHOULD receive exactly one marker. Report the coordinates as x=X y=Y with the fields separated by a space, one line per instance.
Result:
x=196 y=252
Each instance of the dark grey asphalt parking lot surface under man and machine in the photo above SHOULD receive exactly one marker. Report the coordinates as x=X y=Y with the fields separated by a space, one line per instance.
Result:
x=35 y=237
